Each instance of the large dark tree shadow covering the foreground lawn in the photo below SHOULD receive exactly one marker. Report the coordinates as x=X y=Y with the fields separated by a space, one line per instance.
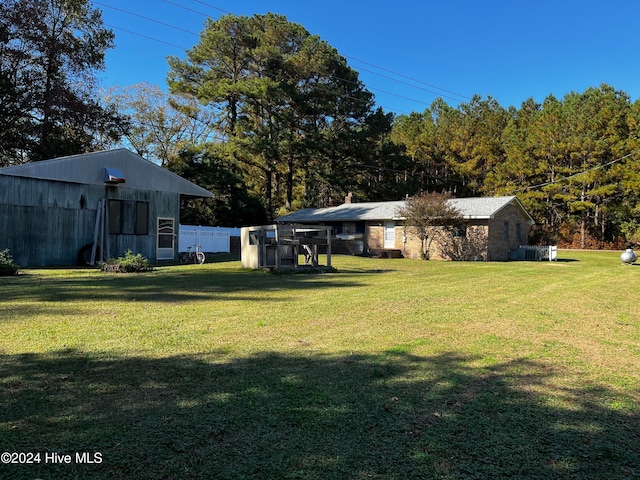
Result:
x=275 y=416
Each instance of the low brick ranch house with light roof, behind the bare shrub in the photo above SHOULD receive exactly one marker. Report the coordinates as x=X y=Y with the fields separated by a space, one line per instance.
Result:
x=492 y=228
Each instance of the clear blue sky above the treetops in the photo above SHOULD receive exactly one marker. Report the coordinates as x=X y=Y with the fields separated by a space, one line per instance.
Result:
x=409 y=53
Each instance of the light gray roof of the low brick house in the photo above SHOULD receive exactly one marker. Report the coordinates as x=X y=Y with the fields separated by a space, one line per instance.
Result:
x=469 y=208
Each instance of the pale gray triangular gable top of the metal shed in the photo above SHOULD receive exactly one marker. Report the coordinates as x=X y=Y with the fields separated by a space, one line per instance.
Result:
x=90 y=168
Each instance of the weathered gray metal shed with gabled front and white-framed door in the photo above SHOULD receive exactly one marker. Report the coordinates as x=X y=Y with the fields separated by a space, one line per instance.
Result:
x=52 y=212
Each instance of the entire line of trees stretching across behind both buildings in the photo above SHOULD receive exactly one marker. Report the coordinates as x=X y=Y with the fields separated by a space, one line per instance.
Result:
x=271 y=119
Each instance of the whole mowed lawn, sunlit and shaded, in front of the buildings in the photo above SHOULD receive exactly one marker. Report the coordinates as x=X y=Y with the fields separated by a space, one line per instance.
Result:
x=388 y=369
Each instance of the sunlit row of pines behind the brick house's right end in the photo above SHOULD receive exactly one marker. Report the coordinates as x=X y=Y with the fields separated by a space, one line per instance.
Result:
x=573 y=162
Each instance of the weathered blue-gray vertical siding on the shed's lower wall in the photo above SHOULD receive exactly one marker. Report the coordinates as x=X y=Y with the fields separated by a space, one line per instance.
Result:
x=46 y=223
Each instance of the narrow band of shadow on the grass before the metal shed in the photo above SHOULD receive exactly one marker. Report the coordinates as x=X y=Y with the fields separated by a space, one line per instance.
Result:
x=171 y=284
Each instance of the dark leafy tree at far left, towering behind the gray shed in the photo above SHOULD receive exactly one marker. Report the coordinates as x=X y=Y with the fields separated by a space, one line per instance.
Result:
x=50 y=53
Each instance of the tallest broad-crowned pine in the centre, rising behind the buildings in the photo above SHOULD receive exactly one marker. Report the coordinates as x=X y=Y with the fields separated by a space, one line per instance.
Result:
x=285 y=99
